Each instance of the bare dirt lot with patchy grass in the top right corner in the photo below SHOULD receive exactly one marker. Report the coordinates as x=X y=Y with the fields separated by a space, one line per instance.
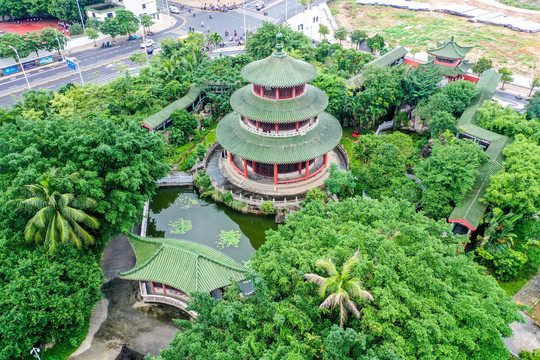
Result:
x=419 y=31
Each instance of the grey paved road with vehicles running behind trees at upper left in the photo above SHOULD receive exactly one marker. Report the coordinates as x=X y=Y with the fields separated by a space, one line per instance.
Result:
x=97 y=63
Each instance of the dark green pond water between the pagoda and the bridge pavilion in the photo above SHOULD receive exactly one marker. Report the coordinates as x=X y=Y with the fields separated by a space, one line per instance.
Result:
x=208 y=219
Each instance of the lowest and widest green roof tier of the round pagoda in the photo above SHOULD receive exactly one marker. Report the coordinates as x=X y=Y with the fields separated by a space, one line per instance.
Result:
x=324 y=137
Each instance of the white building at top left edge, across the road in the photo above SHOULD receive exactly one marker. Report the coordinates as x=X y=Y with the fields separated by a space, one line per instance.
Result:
x=109 y=8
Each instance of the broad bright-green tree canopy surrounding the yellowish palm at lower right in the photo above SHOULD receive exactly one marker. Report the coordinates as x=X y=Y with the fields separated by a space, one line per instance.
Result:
x=430 y=300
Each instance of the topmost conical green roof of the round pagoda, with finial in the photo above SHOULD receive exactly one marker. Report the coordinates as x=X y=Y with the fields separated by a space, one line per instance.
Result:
x=279 y=69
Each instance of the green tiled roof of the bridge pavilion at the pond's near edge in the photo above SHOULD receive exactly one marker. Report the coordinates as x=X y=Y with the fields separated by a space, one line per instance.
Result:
x=184 y=265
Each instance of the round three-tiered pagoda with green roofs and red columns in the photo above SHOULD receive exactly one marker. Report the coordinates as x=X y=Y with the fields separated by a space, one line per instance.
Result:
x=278 y=128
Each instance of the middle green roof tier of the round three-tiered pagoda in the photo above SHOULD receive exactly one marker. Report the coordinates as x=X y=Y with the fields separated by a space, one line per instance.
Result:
x=313 y=102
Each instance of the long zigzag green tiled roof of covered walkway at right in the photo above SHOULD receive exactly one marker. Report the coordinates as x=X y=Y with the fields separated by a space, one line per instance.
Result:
x=471 y=210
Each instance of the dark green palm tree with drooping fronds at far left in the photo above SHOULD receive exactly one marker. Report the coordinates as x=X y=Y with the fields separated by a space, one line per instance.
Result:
x=57 y=217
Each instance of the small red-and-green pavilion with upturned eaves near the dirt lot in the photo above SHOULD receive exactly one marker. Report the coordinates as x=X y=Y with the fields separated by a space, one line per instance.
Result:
x=448 y=59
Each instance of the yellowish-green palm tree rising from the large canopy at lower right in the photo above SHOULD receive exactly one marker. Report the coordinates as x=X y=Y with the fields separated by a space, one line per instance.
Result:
x=342 y=288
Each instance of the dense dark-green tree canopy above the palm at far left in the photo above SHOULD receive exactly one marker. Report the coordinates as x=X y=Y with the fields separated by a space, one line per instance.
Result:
x=117 y=165
